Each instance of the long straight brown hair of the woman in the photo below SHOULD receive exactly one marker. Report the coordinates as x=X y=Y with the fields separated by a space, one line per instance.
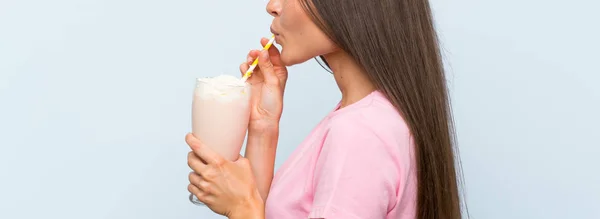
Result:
x=396 y=43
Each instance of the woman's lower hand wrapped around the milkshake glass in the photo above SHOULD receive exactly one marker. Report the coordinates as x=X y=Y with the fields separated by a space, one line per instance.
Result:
x=226 y=187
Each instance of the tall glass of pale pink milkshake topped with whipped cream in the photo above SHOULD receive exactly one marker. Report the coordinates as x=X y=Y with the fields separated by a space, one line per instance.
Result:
x=220 y=115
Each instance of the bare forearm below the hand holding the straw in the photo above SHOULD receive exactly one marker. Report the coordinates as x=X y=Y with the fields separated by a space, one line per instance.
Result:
x=260 y=151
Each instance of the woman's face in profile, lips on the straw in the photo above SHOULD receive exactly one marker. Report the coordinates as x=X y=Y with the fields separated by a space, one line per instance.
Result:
x=300 y=38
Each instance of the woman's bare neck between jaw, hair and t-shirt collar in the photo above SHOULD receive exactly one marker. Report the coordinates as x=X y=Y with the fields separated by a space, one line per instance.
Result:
x=350 y=77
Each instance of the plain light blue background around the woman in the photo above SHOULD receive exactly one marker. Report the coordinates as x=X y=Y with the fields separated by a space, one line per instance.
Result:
x=95 y=100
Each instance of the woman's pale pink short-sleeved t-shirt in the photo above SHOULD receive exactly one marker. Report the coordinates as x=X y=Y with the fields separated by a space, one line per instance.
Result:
x=357 y=163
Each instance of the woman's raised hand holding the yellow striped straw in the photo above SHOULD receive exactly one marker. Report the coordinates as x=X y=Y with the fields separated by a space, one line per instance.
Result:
x=268 y=83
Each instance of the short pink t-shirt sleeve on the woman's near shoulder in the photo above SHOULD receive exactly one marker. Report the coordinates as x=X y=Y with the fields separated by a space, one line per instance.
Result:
x=355 y=175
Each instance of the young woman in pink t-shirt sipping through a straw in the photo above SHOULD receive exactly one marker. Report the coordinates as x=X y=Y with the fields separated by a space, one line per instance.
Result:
x=385 y=151
